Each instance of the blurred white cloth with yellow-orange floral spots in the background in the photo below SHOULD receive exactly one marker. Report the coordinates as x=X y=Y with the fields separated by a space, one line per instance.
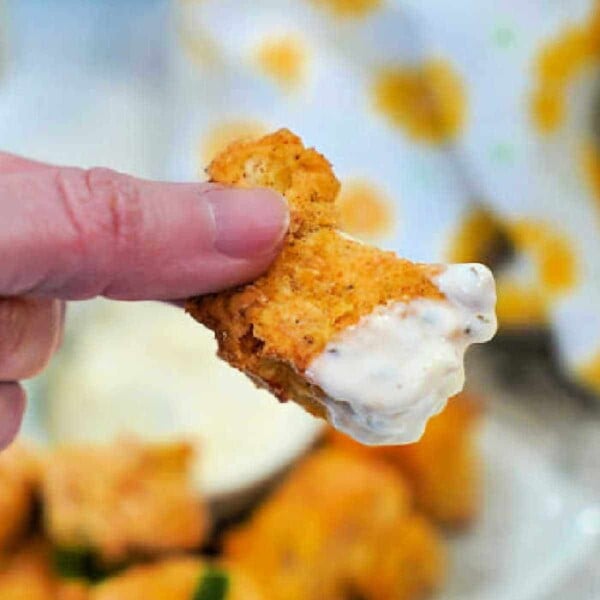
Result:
x=460 y=131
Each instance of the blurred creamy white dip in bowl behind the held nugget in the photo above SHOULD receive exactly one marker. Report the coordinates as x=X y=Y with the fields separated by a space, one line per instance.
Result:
x=145 y=369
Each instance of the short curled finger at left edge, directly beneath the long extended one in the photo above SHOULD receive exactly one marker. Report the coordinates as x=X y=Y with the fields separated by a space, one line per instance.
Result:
x=31 y=330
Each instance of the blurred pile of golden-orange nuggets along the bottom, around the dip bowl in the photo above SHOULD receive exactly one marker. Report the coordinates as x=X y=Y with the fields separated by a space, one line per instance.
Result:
x=123 y=522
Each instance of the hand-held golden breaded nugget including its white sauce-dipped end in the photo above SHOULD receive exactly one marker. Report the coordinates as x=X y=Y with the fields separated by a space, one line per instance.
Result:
x=368 y=340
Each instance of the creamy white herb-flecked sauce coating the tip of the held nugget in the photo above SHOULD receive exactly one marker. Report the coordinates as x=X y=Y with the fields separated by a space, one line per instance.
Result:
x=386 y=375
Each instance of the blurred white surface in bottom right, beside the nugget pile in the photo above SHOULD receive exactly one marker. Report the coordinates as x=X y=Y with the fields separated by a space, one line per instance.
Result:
x=534 y=530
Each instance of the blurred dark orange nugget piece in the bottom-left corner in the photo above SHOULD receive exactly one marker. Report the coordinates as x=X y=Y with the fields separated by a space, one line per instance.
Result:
x=26 y=574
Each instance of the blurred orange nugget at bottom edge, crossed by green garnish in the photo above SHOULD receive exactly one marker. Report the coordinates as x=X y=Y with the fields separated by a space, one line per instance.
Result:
x=172 y=579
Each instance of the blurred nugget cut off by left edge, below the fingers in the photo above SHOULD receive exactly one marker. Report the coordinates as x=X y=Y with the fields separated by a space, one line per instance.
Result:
x=18 y=483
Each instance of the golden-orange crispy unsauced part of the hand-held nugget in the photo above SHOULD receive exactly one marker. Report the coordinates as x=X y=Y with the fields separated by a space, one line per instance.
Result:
x=321 y=283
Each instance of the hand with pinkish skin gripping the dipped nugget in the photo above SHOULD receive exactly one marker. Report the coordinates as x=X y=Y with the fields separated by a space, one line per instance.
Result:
x=71 y=234
